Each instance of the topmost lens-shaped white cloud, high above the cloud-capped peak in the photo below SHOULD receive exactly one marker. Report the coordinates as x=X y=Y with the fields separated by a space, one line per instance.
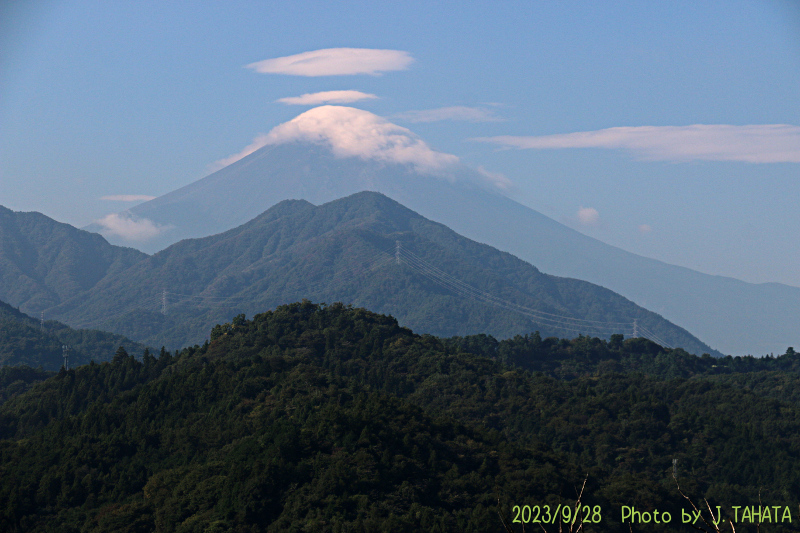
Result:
x=335 y=62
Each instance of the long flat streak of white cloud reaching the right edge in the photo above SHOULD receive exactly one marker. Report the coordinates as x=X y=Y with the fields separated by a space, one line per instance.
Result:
x=766 y=143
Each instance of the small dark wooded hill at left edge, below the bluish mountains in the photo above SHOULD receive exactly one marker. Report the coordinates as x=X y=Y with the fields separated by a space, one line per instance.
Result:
x=25 y=341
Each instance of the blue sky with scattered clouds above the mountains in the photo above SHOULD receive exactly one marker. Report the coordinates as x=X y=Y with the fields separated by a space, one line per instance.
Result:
x=586 y=107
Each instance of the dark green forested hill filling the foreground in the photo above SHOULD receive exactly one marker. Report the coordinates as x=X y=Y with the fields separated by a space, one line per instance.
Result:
x=329 y=418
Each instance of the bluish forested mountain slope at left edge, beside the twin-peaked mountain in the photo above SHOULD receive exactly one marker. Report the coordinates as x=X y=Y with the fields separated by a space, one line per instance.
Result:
x=44 y=262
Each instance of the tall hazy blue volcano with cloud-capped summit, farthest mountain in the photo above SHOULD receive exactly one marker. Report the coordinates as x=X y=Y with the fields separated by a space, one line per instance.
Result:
x=734 y=316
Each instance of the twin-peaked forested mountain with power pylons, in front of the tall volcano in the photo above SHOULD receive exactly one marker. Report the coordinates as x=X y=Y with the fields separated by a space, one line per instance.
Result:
x=365 y=249
